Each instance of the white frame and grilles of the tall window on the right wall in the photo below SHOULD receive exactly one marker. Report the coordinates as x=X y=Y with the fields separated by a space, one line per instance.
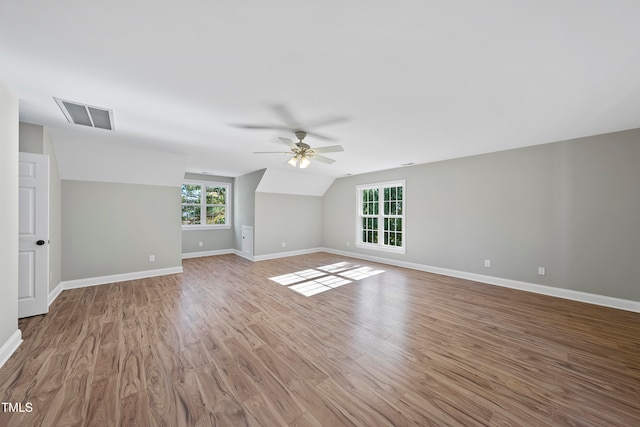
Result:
x=380 y=216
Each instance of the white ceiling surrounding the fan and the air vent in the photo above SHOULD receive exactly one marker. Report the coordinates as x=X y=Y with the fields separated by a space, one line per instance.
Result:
x=418 y=81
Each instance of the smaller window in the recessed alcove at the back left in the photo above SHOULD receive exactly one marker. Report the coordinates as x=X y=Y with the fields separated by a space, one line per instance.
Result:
x=205 y=204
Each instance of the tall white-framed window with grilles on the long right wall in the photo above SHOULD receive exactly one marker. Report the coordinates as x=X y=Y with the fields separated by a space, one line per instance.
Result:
x=381 y=223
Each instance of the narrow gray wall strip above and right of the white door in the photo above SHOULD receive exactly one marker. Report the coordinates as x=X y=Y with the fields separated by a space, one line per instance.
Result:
x=36 y=139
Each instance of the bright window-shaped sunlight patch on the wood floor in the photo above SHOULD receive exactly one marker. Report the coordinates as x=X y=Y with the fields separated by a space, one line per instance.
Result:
x=321 y=279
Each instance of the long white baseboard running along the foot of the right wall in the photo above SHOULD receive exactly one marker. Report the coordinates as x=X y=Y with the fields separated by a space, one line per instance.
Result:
x=569 y=294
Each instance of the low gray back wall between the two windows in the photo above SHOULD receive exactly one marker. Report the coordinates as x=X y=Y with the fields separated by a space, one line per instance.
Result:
x=295 y=220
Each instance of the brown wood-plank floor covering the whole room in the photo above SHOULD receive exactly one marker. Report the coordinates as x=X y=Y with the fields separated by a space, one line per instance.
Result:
x=222 y=344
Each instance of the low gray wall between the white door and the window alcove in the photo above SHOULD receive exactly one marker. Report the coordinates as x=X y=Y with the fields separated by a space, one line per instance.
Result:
x=110 y=228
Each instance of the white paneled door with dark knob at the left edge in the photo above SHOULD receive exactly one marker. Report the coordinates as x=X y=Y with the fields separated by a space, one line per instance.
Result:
x=33 y=250
